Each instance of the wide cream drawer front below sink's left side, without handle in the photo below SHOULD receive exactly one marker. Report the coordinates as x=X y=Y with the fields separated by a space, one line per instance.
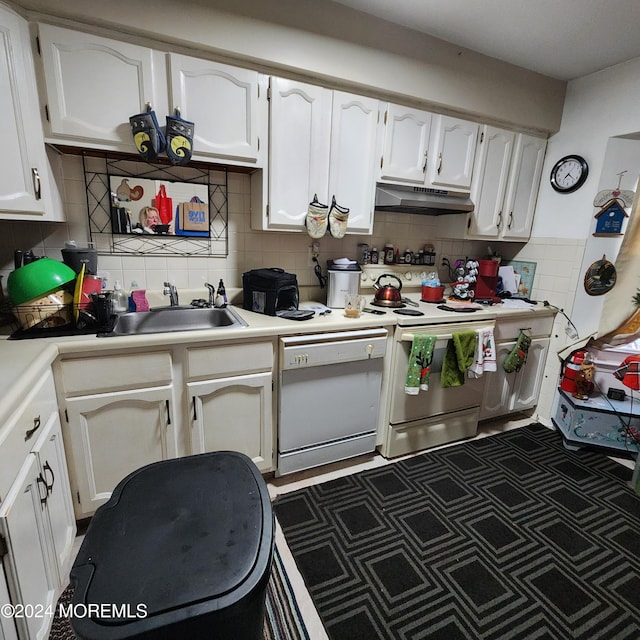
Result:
x=112 y=373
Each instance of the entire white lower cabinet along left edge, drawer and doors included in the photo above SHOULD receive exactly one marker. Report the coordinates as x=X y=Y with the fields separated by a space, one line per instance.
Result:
x=37 y=524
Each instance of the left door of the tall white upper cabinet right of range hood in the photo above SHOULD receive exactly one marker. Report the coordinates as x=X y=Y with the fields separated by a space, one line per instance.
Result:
x=491 y=174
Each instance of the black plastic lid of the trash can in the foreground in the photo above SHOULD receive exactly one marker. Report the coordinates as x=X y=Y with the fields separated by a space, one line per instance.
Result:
x=175 y=534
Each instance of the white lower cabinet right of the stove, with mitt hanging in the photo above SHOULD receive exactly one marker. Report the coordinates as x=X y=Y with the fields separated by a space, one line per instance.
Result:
x=512 y=392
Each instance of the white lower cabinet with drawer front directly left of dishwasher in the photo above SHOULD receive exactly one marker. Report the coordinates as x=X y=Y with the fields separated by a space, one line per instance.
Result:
x=232 y=409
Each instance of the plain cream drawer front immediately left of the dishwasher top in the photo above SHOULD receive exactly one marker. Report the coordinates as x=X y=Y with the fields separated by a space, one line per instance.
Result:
x=229 y=359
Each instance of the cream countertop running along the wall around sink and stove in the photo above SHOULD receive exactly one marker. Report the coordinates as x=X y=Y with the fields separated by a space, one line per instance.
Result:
x=23 y=361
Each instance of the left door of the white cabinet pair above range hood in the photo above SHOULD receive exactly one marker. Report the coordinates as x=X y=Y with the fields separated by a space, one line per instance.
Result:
x=406 y=140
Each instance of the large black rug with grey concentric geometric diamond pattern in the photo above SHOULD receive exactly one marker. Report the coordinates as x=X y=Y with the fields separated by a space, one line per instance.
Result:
x=506 y=537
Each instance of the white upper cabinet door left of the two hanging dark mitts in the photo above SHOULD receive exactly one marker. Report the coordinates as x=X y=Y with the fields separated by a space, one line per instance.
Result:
x=93 y=85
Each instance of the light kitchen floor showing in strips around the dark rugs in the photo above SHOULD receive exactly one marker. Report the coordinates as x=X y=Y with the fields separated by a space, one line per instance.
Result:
x=292 y=482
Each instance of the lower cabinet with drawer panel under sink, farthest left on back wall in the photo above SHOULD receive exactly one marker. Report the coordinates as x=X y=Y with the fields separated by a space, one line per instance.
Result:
x=119 y=417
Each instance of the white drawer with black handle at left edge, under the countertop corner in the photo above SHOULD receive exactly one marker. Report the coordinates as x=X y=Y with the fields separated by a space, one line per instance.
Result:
x=20 y=432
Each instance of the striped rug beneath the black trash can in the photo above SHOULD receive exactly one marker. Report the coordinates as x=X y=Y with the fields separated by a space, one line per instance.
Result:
x=282 y=616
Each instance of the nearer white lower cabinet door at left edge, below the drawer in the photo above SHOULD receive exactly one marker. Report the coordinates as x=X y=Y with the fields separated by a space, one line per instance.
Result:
x=22 y=523
